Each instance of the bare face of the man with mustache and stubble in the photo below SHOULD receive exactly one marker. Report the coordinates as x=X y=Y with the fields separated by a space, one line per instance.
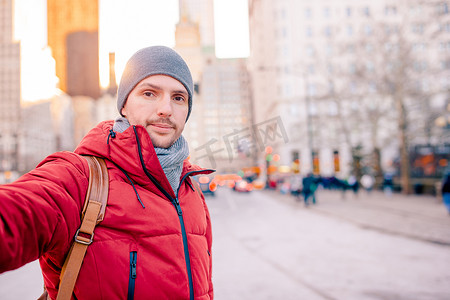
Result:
x=160 y=104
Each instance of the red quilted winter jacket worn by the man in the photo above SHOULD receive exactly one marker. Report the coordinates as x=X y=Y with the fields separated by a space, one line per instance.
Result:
x=162 y=251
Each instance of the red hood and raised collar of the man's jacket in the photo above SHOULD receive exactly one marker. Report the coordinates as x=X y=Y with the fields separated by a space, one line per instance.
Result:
x=131 y=150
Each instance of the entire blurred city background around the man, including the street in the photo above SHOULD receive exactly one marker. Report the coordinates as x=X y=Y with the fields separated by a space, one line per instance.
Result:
x=290 y=95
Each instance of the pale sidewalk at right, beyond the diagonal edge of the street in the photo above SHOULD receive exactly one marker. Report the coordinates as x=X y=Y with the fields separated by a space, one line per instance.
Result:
x=419 y=217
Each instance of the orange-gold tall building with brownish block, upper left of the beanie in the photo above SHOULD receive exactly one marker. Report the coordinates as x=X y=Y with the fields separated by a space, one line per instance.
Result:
x=73 y=38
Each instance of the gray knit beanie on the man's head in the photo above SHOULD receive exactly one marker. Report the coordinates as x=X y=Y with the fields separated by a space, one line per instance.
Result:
x=155 y=60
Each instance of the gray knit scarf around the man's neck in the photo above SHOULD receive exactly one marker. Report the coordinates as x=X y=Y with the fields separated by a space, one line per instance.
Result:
x=171 y=159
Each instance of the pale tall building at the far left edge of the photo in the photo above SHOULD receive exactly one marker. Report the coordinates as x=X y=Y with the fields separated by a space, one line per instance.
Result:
x=9 y=94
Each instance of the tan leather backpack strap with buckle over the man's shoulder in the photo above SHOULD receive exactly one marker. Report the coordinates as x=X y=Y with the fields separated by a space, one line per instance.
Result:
x=93 y=213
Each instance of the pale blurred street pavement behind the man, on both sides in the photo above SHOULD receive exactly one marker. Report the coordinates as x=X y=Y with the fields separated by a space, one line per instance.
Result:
x=269 y=246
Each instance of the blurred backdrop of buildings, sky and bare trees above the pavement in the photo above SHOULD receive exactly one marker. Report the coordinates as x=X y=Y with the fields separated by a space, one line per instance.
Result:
x=338 y=89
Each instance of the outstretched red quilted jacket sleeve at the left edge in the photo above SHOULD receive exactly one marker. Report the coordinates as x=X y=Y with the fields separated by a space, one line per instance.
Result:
x=40 y=212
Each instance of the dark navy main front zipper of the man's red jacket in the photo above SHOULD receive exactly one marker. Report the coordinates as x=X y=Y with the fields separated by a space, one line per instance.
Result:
x=177 y=206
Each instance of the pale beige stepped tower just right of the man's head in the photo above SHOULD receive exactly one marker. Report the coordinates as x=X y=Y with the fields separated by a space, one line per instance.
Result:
x=222 y=102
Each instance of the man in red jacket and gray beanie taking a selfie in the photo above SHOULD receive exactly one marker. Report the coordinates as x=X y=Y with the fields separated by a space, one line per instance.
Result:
x=155 y=239
